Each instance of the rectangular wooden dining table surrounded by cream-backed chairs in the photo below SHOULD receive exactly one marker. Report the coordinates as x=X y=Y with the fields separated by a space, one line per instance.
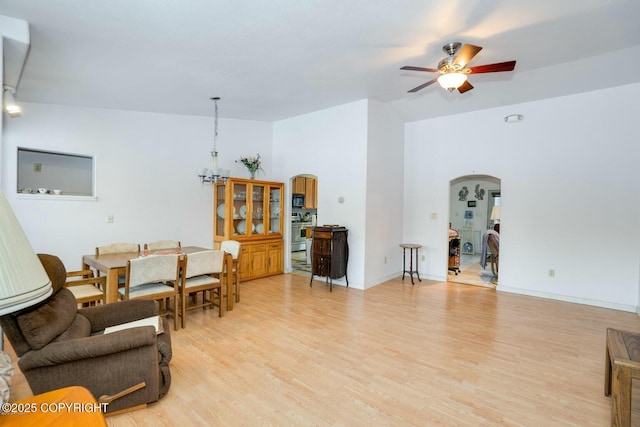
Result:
x=114 y=265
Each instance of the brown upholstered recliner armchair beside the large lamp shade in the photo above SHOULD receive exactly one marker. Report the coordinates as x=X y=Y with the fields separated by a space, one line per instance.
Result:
x=60 y=345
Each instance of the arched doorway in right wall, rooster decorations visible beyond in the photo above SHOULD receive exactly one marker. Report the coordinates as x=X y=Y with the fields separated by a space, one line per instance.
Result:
x=473 y=209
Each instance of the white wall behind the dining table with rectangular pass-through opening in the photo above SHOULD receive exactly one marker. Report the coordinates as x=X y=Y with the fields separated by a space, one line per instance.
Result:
x=146 y=169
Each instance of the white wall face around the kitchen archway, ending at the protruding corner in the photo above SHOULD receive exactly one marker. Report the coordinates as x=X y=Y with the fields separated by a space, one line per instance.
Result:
x=330 y=144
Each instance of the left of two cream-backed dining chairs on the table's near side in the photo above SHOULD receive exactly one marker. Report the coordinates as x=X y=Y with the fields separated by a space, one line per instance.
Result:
x=153 y=277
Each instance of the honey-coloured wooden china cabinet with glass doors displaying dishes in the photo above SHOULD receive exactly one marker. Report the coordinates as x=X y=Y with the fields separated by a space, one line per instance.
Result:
x=250 y=212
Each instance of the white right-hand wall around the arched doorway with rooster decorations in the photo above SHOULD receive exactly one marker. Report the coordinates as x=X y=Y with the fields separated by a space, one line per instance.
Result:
x=569 y=192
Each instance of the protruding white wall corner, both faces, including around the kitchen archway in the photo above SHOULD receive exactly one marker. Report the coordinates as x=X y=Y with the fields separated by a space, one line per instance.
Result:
x=355 y=150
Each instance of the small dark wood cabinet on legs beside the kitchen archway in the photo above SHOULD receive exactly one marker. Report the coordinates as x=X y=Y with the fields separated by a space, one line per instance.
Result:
x=329 y=253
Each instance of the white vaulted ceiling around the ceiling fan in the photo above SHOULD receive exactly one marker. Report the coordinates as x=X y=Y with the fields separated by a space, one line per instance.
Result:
x=274 y=59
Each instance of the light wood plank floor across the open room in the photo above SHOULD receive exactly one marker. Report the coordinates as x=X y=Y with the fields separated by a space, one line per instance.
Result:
x=395 y=355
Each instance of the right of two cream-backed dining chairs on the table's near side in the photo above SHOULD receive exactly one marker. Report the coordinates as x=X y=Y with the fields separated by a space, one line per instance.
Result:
x=201 y=273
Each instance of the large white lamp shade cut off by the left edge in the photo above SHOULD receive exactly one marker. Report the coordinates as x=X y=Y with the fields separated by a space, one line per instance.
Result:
x=23 y=280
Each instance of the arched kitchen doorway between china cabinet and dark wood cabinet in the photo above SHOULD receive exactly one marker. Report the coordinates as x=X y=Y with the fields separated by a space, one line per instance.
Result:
x=304 y=213
